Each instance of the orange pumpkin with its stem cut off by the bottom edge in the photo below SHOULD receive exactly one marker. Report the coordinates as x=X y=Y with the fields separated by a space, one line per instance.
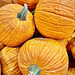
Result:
x=42 y=56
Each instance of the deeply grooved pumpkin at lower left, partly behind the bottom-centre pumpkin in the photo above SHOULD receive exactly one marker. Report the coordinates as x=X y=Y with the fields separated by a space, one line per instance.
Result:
x=9 y=61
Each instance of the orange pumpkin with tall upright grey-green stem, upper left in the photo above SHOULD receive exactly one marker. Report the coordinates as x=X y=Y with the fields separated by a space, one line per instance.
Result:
x=16 y=24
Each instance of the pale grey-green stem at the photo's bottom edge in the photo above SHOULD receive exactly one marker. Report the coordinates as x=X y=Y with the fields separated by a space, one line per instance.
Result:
x=34 y=70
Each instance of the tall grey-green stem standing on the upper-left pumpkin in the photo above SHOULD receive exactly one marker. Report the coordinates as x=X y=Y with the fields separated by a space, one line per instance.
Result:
x=22 y=15
